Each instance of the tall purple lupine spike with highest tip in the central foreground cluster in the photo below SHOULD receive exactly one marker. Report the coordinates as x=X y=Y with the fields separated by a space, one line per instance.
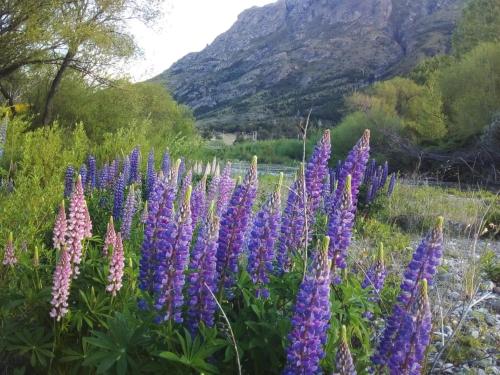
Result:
x=233 y=227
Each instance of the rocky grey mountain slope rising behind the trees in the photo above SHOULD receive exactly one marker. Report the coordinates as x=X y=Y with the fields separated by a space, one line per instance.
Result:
x=280 y=60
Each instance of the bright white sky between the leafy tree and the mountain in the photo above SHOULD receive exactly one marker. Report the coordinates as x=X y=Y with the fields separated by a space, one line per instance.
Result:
x=187 y=26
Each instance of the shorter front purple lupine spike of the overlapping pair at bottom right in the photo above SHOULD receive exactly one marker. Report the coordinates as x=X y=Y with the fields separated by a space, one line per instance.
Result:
x=414 y=336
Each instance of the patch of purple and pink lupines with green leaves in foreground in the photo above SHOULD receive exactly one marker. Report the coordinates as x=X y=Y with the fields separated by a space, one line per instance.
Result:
x=163 y=269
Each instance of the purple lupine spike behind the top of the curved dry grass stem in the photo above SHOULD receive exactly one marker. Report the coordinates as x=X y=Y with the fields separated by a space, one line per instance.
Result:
x=202 y=273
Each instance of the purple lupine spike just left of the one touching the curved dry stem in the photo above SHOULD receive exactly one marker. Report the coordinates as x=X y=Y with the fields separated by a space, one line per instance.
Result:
x=172 y=262
